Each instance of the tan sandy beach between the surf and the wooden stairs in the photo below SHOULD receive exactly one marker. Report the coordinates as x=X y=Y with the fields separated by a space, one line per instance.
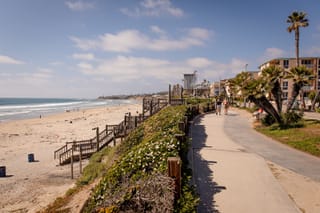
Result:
x=29 y=187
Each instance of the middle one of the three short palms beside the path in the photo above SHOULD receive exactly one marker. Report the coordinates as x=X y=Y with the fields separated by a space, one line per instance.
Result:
x=273 y=75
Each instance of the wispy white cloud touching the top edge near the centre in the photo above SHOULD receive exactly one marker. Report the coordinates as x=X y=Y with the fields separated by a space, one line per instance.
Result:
x=153 y=8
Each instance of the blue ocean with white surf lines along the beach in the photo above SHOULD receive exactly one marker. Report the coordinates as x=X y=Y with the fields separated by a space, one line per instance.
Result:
x=22 y=108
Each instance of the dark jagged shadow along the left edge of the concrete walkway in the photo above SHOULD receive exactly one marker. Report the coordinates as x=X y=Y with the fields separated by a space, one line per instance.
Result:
x=203 y=176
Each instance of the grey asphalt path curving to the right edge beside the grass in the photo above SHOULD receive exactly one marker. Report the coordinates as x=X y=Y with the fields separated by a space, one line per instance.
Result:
x=239 y=129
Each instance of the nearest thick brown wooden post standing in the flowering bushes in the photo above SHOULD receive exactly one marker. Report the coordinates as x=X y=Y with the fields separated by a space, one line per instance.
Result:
x=174 y=171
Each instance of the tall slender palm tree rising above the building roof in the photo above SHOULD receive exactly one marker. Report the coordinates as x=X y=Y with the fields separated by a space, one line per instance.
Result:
x=297 y=20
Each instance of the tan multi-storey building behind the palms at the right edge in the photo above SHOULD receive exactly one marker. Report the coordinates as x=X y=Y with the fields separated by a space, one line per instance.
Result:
x=312 y=63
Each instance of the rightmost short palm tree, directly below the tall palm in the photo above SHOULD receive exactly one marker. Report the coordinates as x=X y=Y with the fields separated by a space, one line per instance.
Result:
x=301 y=76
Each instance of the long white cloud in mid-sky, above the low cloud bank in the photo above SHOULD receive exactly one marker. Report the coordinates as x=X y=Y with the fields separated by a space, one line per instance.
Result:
x=128 y=40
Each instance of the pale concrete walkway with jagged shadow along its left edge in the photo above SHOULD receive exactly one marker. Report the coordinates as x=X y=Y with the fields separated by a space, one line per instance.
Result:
x=230 y=179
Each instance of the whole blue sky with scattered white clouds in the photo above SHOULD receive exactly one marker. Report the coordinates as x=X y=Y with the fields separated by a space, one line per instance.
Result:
x=84 y=49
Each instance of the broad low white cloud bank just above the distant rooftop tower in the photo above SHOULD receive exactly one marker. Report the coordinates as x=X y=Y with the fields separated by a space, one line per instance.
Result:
x=137 y=69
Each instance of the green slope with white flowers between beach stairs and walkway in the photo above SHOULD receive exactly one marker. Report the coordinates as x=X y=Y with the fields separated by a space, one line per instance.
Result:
x=137 y=182
